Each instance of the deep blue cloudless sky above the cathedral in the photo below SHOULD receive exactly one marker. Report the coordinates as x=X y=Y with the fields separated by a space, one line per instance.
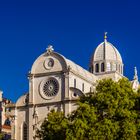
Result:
x=73 y=27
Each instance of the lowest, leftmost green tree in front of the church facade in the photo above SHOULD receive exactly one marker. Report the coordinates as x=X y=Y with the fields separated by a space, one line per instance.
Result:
x=54 y=127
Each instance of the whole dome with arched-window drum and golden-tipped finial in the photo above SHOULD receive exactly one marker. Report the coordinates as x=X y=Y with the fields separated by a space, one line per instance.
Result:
x=106 y=59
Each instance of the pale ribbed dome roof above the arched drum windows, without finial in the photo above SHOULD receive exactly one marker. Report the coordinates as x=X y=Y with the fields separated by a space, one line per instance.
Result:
x=106 y=51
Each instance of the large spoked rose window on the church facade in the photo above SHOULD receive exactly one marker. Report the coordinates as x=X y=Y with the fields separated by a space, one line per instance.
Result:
x=49 y=88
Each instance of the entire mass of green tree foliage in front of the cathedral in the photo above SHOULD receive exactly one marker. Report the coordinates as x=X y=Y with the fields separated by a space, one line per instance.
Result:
x=111 y=113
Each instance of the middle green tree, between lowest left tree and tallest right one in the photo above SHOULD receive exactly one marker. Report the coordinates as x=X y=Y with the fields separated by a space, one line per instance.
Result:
x=81 y=121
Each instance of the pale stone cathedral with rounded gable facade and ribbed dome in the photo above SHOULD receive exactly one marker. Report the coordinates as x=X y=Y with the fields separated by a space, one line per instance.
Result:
x=56 y=82
